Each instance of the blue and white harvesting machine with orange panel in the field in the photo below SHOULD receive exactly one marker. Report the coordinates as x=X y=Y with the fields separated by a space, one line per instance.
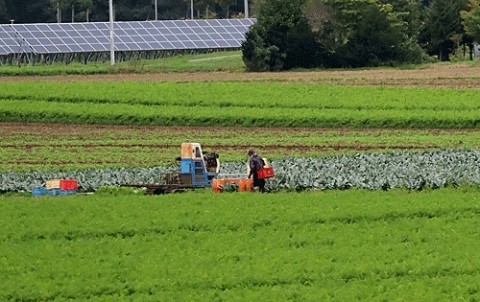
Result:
x=196 y=170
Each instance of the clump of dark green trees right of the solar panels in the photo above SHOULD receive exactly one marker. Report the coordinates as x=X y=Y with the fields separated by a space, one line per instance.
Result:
x=356 y=33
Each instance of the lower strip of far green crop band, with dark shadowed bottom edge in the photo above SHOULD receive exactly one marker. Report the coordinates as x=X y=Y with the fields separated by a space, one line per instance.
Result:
x=92 y=113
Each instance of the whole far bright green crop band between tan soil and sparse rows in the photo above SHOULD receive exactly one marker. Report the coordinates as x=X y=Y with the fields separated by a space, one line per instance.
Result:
x=267 y=104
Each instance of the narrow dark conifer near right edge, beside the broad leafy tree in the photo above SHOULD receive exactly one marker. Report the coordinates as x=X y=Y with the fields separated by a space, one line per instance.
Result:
x=442 y=27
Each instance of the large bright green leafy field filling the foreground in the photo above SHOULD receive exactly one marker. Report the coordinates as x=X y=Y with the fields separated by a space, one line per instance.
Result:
x=200 y=246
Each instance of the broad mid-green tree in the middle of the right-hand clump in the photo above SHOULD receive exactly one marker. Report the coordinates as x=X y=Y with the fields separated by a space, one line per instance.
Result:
x=367 y=32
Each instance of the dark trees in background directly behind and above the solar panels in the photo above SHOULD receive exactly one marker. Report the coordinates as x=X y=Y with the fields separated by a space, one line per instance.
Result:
x=44 y=11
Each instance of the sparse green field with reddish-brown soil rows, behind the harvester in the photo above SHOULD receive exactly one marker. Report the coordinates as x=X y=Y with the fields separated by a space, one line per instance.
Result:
x=33 y=147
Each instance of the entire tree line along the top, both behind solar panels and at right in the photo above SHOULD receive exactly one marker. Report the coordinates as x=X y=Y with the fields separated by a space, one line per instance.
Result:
x=299 y=33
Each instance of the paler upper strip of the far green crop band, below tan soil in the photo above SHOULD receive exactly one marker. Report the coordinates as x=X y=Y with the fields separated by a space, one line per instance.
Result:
x=244 y=94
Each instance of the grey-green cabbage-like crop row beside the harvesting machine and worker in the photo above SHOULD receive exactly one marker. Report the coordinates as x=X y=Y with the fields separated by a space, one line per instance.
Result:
x=411 y=170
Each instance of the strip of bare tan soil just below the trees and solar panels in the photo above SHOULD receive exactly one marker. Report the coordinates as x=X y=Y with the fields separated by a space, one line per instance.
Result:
x=437 y=75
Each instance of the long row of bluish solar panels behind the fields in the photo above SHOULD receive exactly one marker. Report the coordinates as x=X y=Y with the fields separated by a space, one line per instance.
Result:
x=52 y=38
